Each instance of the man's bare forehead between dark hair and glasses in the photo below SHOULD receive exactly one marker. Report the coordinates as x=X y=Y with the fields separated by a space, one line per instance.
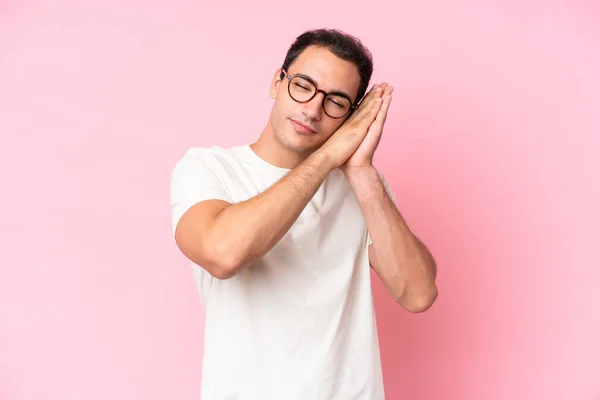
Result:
x=328 y=70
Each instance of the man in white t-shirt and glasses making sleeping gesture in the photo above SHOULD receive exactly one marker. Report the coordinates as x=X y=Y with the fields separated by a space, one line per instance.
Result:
x=281 y=234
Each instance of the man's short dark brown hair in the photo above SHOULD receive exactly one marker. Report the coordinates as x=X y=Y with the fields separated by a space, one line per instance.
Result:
x=343 y=45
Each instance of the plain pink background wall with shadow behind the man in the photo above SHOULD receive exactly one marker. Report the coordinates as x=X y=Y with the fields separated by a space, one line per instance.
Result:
x=492 y=148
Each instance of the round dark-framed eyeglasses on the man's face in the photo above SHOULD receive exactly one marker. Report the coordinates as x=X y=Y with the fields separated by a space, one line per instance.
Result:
x=302 y=89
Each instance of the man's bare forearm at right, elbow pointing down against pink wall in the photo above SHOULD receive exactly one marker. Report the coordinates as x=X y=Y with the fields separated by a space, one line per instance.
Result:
x=398 y=256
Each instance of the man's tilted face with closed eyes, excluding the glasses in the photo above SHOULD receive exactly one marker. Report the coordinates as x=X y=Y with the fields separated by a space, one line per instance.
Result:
x=330 y=73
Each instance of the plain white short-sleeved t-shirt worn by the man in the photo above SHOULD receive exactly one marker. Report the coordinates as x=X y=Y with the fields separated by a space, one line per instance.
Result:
x=299 y=324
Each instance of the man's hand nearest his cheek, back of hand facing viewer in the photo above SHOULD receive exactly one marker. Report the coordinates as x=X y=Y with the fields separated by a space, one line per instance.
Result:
x=348 y=137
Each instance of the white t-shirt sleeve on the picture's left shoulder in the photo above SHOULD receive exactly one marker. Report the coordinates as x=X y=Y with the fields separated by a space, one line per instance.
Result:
x=194 y=179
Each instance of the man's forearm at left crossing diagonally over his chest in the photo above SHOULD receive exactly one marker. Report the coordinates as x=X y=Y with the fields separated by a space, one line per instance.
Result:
x=251 y=228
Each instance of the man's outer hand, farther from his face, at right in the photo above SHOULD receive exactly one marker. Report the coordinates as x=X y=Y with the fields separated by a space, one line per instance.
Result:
x=363 y=156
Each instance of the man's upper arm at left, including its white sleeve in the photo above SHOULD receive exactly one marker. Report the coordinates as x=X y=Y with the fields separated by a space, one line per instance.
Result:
x=198 y=196
